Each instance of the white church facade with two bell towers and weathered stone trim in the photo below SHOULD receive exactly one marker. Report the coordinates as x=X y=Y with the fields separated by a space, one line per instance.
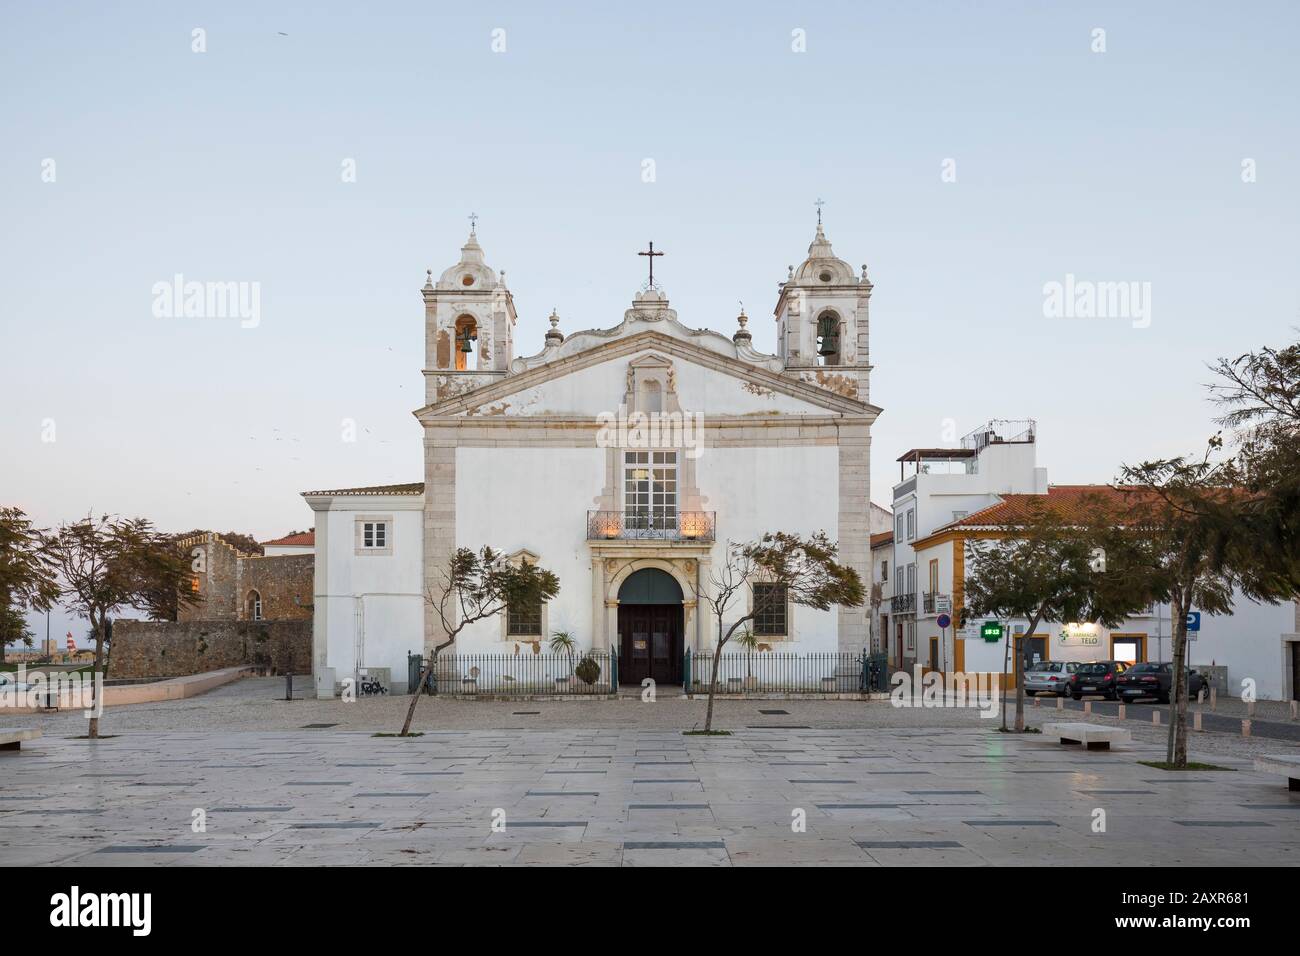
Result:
x=623 y=460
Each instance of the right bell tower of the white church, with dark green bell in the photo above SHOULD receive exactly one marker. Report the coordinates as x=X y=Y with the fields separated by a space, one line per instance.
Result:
x=824 y=325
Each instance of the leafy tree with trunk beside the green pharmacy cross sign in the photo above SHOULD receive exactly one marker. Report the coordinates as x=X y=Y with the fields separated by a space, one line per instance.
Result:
x=1047 y=569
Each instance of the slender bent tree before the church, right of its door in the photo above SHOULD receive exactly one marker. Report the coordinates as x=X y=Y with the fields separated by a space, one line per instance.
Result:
x=805 y=568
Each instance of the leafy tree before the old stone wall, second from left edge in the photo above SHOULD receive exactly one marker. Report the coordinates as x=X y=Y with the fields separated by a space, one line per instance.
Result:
x=111 y=564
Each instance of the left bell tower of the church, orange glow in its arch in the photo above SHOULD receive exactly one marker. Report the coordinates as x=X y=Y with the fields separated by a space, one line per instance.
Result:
x=469 y=325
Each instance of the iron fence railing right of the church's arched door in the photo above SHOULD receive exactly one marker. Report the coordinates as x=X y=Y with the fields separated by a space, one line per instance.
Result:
x=766 y=672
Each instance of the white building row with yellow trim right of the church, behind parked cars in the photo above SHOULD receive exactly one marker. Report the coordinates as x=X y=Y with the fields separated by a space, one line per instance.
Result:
x=993 y=479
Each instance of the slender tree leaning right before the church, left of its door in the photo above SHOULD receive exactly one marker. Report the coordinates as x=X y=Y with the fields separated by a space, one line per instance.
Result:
x=474 y=587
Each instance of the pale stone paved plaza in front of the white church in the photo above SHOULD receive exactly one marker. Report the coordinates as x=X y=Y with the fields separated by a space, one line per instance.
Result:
x=959 y=795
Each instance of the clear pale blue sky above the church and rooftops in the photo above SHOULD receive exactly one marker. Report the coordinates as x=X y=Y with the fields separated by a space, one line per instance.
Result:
x=227 y=166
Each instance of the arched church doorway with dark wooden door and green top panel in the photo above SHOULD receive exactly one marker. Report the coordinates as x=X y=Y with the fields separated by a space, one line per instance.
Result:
x=651 y=631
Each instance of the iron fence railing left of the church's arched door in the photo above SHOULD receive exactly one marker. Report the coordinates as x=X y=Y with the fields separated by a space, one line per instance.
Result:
x=525 y=674
